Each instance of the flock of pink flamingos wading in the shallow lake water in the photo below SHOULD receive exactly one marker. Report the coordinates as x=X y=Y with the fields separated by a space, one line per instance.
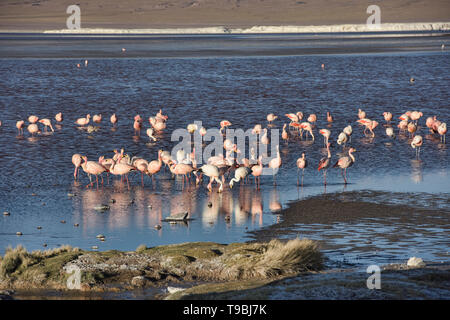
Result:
x=217 y=167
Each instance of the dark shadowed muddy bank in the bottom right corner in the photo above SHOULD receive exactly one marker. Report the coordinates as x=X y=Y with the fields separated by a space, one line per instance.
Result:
x=396 y=282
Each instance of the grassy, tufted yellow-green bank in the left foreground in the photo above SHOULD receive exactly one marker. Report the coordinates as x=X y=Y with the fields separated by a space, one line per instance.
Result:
x=116 y=271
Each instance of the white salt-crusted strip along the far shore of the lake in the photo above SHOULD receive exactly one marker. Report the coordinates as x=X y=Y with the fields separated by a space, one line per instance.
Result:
x=258 y=29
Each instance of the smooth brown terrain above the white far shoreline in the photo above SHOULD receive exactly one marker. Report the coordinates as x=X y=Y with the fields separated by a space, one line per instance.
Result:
x=38 y=15
